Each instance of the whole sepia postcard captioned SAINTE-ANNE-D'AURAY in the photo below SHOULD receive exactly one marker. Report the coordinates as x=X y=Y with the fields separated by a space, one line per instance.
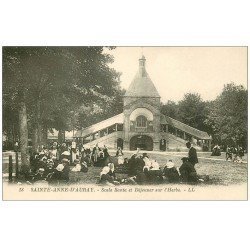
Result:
x=125 y=123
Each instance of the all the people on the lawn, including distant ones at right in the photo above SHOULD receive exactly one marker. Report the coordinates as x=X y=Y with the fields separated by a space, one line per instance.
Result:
x=54 y=164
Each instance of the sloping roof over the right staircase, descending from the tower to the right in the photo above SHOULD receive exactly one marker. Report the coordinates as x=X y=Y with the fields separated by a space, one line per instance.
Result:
x=189 y=130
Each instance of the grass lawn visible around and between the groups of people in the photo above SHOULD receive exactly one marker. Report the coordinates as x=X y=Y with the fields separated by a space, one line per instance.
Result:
x=219 y=171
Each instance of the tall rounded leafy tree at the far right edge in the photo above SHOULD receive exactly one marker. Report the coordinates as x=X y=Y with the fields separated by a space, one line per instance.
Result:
x=228 y=116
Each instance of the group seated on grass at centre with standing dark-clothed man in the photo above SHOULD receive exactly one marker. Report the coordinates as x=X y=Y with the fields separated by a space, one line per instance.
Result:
x=140 y=169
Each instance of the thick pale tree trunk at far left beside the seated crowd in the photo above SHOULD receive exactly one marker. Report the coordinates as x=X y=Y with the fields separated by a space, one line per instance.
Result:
x=23 y=130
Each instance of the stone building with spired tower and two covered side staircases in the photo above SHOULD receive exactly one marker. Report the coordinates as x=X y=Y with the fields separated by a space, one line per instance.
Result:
x=141 y=125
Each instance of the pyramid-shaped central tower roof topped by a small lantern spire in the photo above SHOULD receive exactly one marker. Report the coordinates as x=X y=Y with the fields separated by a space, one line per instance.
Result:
x=142 y=85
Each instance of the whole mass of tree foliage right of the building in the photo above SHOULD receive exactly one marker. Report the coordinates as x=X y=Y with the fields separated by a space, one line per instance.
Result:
x=224 y=118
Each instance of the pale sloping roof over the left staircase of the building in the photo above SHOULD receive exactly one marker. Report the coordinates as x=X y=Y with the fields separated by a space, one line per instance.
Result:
x=118 y=119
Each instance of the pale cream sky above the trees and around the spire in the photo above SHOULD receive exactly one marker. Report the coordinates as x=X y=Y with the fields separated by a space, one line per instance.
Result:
x=179 y=70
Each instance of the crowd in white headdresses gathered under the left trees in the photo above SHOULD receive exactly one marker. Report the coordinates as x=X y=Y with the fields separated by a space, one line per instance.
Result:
x=54 y=163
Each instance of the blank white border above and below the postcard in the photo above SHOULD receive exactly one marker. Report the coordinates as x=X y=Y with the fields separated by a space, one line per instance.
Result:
x=141 y=225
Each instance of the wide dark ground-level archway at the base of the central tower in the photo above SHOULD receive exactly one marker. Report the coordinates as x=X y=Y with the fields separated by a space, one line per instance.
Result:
x=143 y=142
